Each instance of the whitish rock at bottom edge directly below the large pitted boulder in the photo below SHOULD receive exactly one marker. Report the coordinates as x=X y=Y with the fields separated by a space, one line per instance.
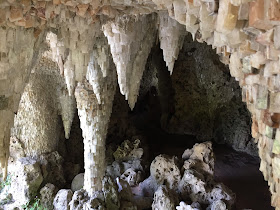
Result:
x=163 y=199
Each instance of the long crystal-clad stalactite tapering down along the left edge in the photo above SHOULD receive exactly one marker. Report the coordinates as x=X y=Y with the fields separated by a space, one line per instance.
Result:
x=17 y=53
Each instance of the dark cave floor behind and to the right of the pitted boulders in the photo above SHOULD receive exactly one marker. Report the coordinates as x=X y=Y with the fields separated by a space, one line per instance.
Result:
x=237 y=170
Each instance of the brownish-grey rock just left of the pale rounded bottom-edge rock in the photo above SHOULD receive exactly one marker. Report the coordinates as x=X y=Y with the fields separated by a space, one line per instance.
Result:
x=47 y=195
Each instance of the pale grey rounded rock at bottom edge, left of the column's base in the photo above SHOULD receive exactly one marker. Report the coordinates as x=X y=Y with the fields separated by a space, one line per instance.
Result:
x=62 y=200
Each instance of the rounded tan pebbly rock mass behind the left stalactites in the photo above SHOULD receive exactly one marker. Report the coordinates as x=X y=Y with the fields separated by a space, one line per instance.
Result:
x=37 y=121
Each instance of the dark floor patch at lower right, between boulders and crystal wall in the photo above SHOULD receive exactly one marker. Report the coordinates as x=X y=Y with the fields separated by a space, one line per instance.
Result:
x=240 y=172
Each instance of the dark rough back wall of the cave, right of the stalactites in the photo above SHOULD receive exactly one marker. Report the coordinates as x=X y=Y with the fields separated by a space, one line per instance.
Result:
x=220 y=113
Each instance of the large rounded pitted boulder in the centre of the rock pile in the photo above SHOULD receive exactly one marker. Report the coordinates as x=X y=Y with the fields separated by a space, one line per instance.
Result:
x=165 y=171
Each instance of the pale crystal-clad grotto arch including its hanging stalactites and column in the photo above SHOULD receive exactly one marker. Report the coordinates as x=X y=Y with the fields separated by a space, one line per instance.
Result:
x=244 y=33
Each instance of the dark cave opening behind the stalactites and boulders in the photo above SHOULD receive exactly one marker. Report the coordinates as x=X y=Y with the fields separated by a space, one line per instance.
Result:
x=199 y=102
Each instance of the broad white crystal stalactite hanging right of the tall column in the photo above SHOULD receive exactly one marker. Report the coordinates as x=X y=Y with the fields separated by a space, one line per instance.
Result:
x=130 y=46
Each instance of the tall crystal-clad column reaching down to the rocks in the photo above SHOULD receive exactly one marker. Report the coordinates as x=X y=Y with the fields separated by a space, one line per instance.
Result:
x=94 y=116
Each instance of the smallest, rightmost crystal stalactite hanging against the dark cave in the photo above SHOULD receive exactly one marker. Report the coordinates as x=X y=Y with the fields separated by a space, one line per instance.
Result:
x=171 y=36
